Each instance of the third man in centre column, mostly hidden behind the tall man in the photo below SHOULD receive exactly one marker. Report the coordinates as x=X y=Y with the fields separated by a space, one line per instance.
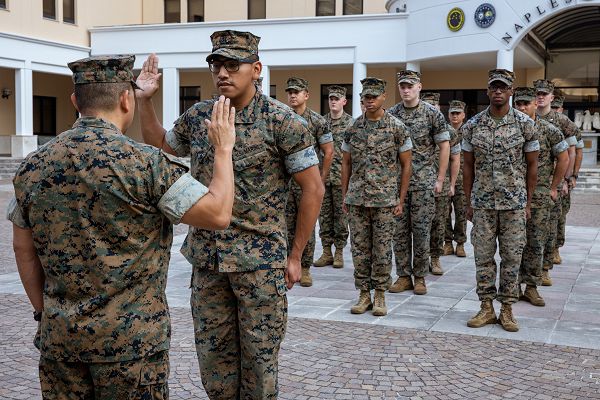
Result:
x=442 y=199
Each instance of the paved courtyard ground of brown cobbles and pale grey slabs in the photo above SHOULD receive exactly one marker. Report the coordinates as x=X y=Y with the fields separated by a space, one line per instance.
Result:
x=421 y=350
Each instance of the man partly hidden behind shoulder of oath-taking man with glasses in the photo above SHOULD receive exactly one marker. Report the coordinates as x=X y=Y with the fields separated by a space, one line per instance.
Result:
x=318 y=127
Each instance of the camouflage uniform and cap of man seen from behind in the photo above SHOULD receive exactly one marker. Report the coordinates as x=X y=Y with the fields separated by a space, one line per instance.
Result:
x=100 y=209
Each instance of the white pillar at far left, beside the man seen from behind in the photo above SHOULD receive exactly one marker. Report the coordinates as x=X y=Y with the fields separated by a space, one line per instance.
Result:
x=24 y=141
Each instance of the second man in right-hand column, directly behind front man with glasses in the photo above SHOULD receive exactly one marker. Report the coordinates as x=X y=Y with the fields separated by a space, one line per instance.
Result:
x=552 y=147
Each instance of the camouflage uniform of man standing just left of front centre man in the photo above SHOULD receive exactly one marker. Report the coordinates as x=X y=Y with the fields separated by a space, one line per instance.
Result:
x=333 y=224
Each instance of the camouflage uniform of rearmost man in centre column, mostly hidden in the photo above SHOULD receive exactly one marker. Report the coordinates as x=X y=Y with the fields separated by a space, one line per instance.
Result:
x=458 y=231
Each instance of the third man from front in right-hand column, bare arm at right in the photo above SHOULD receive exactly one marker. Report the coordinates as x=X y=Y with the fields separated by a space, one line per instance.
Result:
x=544 y=97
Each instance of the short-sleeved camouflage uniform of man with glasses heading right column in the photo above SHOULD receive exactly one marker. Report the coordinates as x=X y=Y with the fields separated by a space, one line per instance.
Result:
x=499 y=197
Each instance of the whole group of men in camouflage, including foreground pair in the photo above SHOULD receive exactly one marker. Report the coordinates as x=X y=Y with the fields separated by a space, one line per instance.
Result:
x=93 y=214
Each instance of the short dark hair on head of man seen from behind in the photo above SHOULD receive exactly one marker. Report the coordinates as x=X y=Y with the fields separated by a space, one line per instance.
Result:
x=99 y=96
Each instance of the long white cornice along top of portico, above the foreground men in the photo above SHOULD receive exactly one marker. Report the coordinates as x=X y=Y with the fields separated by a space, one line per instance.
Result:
x=253 y=22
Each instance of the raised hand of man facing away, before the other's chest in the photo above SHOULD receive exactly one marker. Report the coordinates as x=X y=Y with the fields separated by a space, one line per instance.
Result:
x=221 y=127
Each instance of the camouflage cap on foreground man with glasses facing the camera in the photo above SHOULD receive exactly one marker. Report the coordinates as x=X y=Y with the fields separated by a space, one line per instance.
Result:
x=241 y=46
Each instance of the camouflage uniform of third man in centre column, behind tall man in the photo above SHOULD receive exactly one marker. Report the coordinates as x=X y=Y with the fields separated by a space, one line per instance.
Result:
x=442 y=201
